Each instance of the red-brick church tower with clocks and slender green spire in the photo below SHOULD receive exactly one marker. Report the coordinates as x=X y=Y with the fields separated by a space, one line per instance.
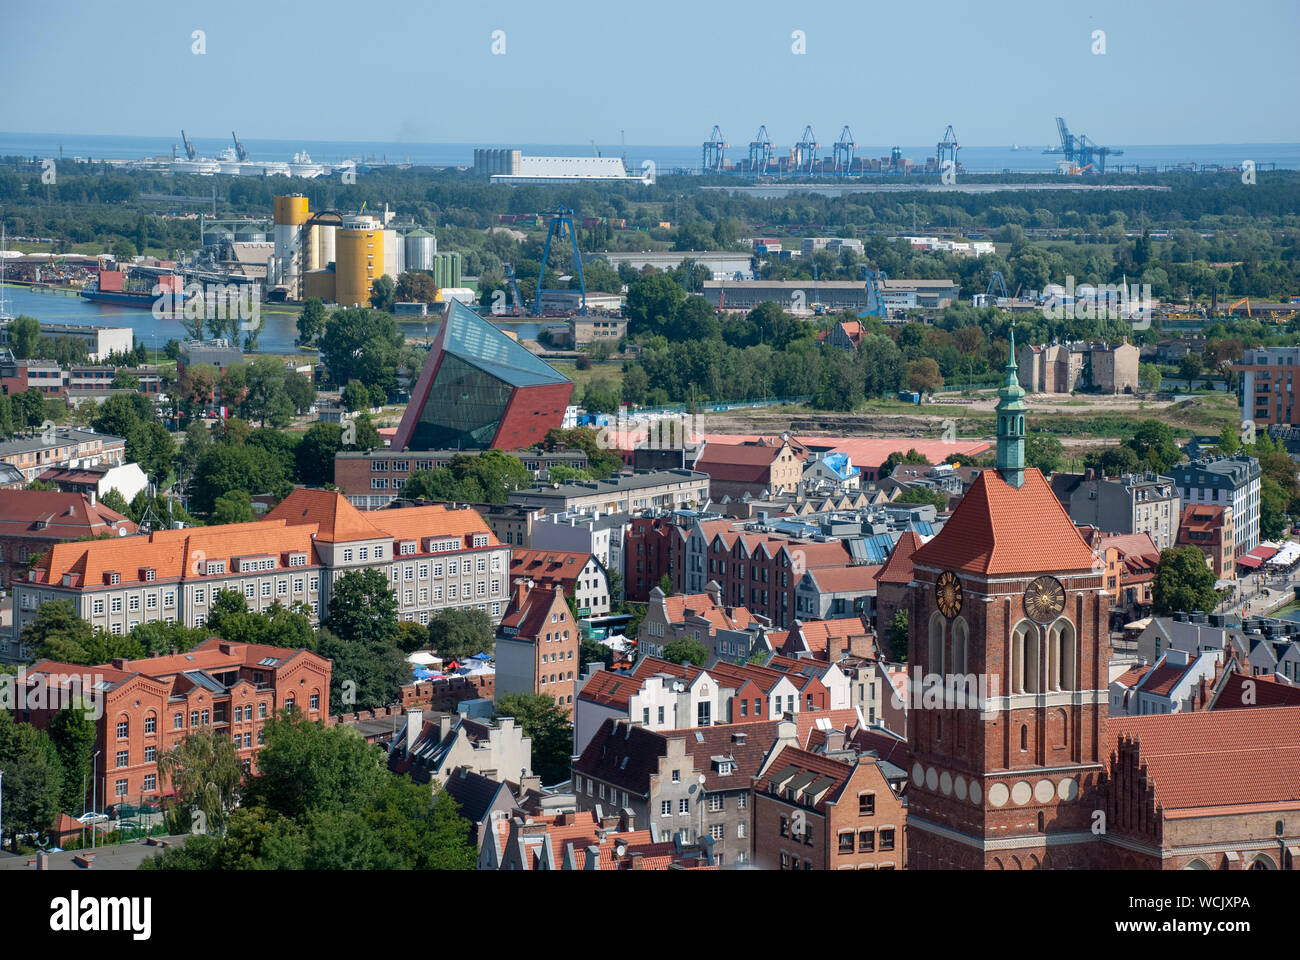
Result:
x=1008 y=674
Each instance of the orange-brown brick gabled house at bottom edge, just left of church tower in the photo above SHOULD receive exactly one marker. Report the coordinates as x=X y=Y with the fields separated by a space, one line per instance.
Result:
x=814 y=812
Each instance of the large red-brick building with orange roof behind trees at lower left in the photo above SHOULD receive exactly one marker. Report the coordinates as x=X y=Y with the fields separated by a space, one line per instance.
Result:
x=148 y=707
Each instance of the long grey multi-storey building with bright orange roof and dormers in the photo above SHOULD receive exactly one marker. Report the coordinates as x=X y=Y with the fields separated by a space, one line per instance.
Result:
x=434 y=557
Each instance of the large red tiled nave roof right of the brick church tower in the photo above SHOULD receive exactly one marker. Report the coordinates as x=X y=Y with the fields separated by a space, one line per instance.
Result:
x=1217 y=759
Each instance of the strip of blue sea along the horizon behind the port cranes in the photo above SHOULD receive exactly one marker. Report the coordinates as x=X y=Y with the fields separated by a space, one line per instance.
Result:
x=989 y=159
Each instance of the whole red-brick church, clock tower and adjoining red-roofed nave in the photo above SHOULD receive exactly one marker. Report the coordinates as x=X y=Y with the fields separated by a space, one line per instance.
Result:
x=1015 y=762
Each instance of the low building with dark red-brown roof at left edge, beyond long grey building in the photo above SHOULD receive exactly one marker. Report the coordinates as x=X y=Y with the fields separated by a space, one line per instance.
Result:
x=34 y=521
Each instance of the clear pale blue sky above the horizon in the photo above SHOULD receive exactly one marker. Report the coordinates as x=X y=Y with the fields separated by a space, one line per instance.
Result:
x=661 y=71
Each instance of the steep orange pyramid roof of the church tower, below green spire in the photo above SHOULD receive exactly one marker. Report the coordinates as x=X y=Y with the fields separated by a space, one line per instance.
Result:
x=1000 y=530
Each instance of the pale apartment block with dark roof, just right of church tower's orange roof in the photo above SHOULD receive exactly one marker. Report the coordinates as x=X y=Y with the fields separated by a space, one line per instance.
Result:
x=1132 y=504
